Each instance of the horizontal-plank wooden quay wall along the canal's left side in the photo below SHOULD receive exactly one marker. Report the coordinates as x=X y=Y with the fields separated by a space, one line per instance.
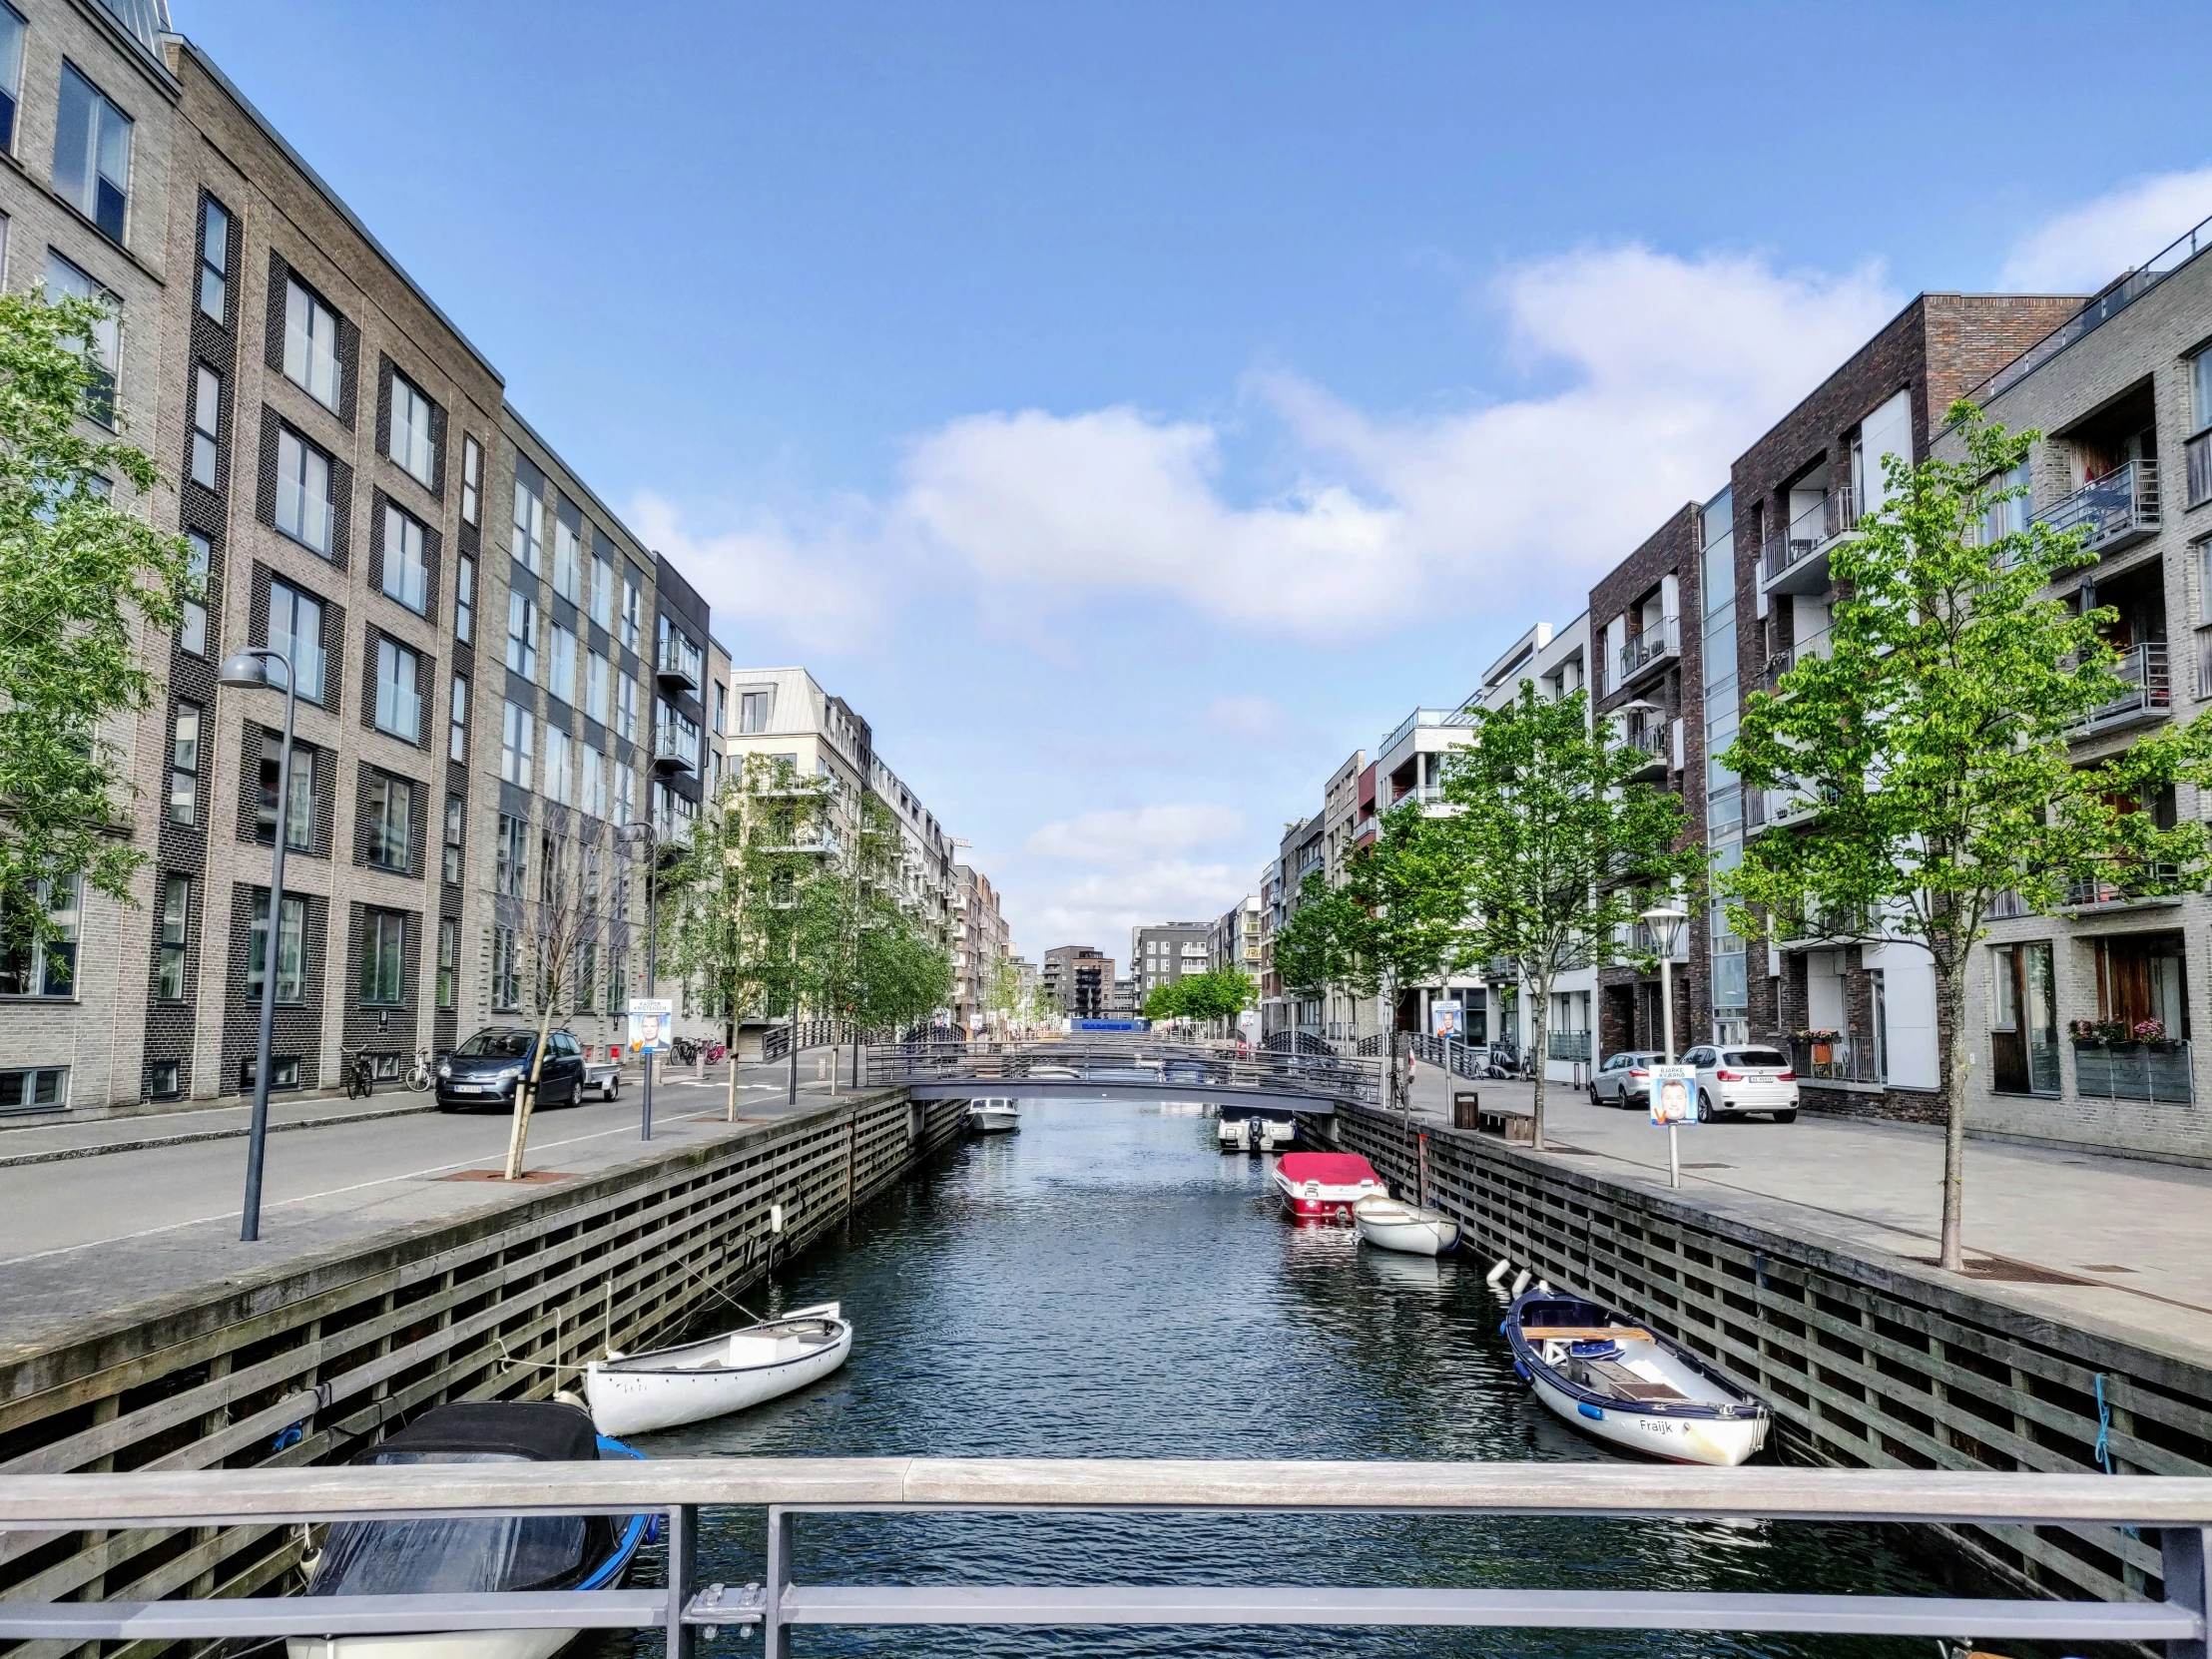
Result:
x=309 y=1359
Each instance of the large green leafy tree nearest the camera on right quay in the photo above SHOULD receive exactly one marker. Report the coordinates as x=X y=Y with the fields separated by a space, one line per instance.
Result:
x=1937 y=747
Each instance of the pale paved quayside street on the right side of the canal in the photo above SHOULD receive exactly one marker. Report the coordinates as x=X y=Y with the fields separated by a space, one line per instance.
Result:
x=2140 y=1233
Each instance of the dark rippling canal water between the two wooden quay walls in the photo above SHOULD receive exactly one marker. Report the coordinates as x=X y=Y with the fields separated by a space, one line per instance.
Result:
x=1105 y=1284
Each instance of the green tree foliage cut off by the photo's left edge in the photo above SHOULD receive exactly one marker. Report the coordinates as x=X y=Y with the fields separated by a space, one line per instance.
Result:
x=85 y=583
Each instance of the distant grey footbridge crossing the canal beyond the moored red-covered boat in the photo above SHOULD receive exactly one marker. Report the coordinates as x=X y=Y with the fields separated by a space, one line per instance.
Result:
x=1127 y=1070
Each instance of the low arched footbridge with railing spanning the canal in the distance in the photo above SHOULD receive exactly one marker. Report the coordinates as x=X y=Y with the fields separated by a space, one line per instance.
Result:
x=1149 y=1065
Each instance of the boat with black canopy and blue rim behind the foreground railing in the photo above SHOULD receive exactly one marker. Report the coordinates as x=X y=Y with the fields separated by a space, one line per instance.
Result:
x=477 y=1554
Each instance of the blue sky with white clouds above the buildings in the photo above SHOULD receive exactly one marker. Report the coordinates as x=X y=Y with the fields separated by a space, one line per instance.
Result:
x=1138 y=408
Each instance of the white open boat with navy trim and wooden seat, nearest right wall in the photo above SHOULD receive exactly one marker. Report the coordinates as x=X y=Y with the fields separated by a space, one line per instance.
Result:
x=1627 y=1386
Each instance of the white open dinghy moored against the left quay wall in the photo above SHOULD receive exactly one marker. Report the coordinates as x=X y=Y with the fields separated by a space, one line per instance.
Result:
x=674 y=1386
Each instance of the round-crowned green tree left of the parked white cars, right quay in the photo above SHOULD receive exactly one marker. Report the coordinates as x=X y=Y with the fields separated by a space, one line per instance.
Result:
x=1556 y=844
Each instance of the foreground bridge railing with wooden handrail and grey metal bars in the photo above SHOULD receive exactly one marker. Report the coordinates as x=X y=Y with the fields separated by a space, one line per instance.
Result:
x=2178 y=1510
